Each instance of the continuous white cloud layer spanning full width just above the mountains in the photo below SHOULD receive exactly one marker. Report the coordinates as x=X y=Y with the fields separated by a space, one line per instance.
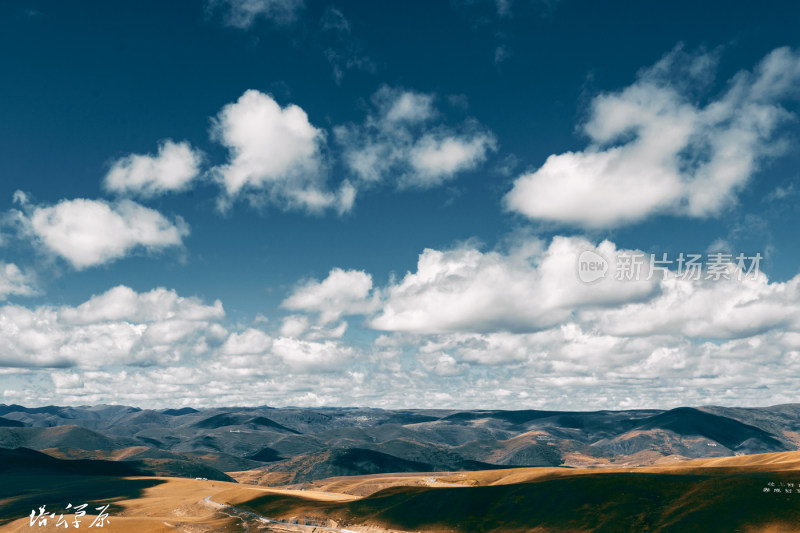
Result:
x=538 y=329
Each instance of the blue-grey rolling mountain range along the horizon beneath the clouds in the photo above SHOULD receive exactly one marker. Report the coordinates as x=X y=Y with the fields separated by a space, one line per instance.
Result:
x=312 y=442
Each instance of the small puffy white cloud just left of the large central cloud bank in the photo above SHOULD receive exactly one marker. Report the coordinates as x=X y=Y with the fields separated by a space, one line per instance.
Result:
x=343 y=292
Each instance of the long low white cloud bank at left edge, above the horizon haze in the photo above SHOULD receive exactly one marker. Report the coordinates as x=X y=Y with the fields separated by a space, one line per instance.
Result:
x=119 y=326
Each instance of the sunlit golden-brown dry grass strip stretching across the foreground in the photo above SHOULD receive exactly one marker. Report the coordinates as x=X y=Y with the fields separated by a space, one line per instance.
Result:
x=178 y=503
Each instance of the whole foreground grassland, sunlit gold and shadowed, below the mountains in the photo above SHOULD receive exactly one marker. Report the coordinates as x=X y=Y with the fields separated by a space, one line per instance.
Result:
x=714 y=494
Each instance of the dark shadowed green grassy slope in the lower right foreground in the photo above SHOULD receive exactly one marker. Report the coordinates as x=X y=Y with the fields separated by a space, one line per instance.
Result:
x=706 y=499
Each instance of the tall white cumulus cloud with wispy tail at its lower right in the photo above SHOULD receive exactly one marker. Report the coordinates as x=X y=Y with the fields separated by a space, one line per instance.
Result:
x=275 y=154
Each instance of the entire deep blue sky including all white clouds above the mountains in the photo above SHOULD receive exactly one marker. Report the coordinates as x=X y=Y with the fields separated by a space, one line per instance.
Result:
x=355 y=203
